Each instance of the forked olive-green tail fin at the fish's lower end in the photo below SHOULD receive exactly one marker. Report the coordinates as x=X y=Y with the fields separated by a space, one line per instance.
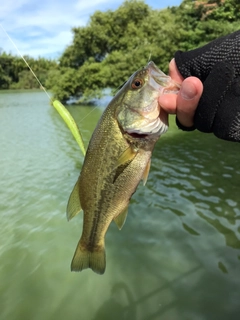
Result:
x=83 y=259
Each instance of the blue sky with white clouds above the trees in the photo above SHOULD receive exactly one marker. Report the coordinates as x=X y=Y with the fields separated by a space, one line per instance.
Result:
x=43 y=28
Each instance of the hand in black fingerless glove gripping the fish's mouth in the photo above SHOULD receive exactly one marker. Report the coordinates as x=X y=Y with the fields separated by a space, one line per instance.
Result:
x=217 y=65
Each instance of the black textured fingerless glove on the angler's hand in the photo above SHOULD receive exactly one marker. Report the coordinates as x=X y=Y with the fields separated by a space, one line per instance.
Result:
x=217 y=65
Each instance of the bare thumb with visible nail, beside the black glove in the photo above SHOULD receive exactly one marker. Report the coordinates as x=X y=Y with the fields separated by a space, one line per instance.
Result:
x=187 y=100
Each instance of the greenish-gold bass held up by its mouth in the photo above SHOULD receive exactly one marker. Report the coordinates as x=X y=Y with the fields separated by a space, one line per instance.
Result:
x=118 y=157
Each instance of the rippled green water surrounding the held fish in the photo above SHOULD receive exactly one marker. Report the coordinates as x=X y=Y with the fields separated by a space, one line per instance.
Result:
x=177 y=257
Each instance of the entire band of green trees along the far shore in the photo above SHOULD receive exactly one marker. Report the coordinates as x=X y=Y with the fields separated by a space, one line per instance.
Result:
x=114 y=44
